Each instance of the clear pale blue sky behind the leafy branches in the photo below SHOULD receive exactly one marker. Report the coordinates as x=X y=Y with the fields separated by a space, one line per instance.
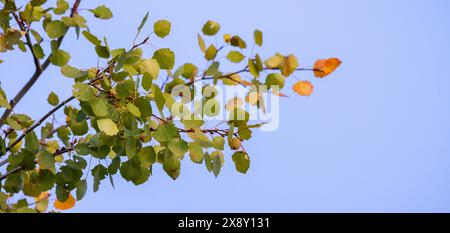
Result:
x=373 y=137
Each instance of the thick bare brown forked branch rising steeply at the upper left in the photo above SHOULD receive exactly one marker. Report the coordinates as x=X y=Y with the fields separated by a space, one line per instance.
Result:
x=39 y=69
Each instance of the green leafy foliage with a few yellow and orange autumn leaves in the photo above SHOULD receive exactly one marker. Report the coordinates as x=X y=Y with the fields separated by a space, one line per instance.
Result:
x=120 y=117
